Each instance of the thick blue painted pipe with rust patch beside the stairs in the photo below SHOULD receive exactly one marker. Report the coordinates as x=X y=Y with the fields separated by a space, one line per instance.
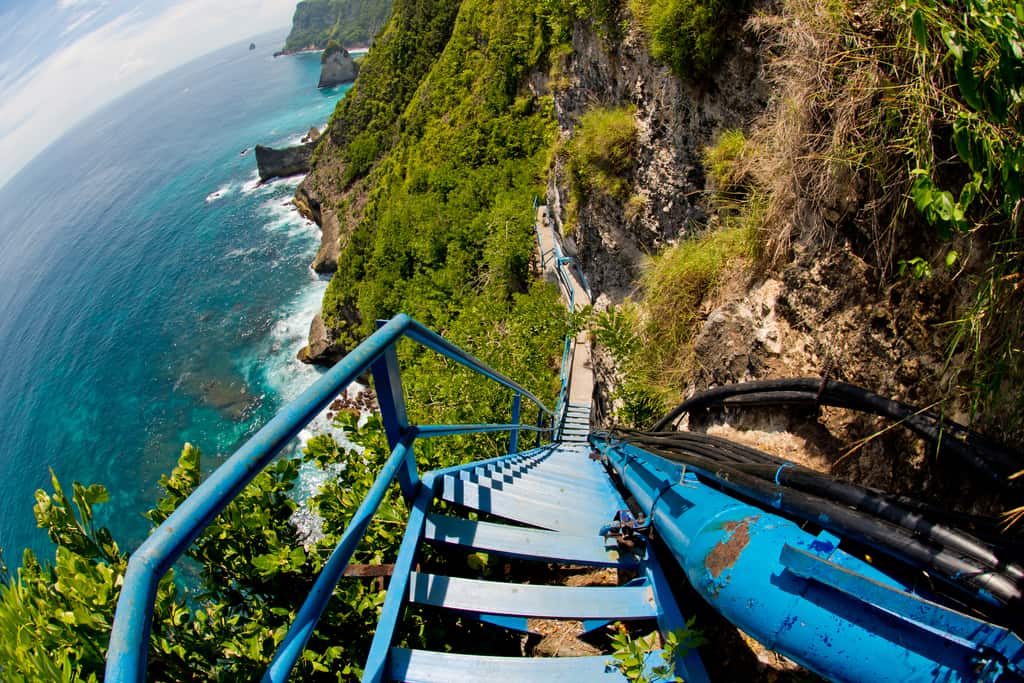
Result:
x=739 y=559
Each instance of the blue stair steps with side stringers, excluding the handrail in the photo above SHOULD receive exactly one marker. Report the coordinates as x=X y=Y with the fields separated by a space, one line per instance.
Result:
x=531 y=490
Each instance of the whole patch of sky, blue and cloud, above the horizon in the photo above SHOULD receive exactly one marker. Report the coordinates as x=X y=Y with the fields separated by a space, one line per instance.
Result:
x=62 y=61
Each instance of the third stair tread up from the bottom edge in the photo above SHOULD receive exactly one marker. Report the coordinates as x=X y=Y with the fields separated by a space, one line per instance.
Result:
x=523 y=542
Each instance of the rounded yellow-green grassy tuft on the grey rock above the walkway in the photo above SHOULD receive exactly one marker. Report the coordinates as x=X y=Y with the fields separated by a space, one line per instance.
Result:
x=603 y=153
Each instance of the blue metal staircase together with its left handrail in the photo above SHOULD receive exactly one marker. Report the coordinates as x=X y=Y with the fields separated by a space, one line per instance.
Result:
x=553 y=503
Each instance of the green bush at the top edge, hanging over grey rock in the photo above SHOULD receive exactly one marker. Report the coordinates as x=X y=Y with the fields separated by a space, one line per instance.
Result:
x=689 y=35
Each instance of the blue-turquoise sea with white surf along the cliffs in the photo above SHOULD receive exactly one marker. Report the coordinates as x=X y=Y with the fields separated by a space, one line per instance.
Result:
x=152 y=292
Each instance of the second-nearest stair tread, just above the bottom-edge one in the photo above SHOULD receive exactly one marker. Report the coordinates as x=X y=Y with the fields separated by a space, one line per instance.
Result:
x=622 y=603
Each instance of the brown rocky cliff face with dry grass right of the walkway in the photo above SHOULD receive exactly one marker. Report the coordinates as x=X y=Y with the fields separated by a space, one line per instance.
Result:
x=829 y=303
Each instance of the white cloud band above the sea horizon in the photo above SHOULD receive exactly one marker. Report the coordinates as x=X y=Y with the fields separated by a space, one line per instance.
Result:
x=119 y=57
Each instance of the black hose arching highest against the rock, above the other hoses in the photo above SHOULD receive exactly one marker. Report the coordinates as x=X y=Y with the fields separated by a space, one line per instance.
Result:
x=997 y=463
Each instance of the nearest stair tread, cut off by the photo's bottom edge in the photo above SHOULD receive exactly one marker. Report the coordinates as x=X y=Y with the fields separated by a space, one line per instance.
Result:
x=431 y=667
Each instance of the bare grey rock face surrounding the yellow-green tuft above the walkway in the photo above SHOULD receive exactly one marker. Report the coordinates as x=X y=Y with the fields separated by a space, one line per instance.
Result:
x=674 y=120
